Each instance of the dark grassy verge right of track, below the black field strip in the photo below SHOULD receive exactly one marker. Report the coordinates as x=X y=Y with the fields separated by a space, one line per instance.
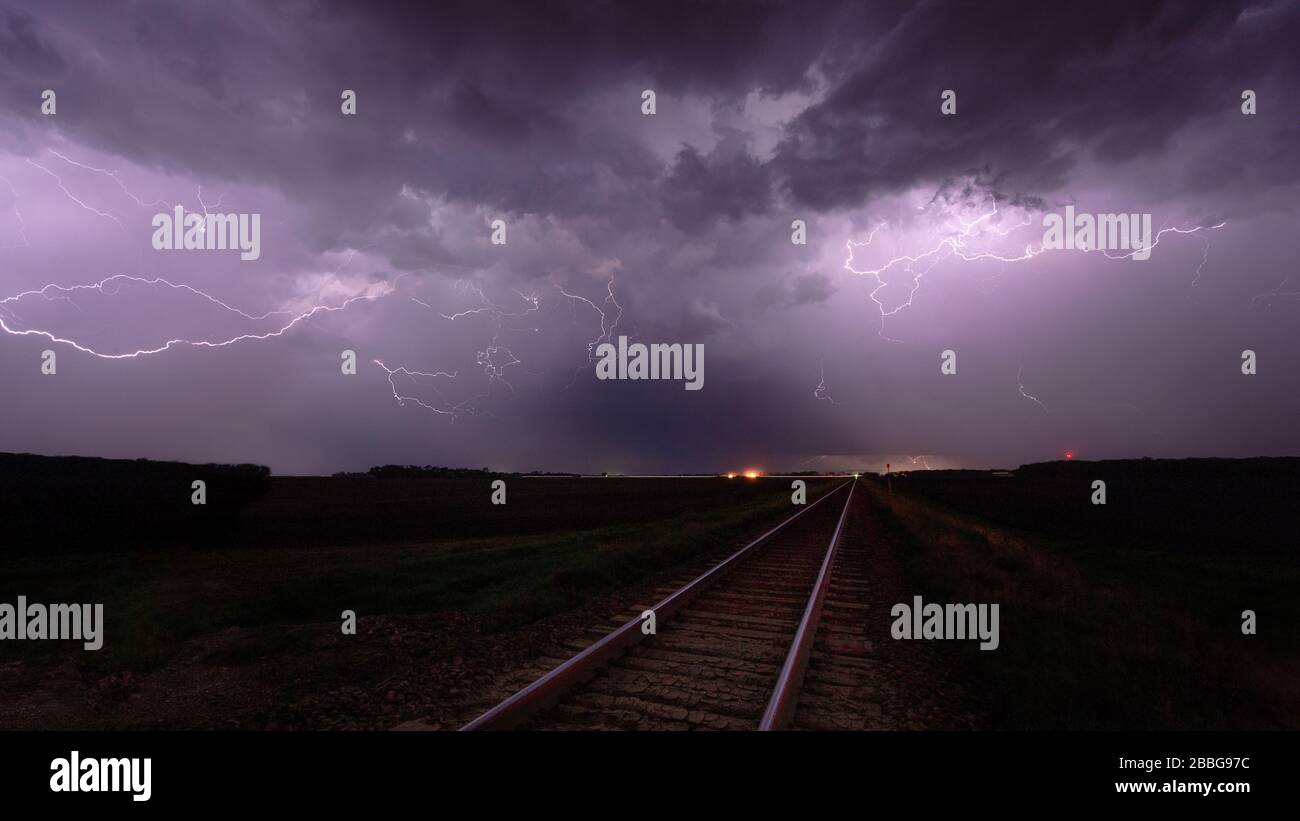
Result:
x=1095 y=637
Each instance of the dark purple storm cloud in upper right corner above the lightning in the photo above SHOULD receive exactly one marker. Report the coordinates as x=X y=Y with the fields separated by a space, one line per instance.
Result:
x=1039 y=89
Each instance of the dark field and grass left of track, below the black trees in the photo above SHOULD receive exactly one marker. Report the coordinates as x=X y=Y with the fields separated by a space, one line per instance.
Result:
x=248 y=631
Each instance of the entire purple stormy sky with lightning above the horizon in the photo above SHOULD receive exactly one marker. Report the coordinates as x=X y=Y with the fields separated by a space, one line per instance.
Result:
x=825 y=112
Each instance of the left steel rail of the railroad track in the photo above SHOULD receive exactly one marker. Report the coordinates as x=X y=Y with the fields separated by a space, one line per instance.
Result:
x=547 y=690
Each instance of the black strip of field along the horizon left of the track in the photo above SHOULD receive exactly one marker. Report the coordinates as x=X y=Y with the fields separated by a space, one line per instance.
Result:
x=85 y=506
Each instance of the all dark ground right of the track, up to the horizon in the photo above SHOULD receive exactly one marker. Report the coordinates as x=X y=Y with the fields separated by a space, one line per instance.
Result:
x=1126 y=615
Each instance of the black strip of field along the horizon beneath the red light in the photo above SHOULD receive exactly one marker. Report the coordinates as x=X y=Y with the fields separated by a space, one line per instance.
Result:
x=1220 y=505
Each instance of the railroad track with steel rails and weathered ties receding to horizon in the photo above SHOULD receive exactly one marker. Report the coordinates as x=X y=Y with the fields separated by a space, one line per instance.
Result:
x=731 y=648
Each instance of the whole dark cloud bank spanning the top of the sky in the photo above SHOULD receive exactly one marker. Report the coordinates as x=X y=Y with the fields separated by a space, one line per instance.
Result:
x=491 y=92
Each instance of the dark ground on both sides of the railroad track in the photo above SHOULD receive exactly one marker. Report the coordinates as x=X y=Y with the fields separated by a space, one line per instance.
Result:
x=1107 y=620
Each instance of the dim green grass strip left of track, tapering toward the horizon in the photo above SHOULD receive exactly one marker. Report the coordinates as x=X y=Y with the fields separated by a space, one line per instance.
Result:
x=155 y=602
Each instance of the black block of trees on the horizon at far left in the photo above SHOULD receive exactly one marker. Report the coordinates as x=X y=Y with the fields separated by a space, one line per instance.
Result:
x=76 y=503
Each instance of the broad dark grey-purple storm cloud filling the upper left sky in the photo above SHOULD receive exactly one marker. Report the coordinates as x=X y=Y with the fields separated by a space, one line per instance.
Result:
x=488 y=90
